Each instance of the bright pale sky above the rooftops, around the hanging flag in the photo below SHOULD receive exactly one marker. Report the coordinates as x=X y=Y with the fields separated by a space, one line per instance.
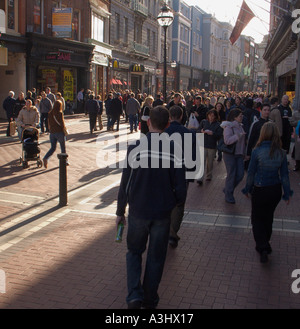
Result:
x=228 y=10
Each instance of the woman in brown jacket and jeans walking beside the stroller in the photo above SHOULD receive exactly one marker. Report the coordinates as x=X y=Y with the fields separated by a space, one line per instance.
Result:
x=57 y=130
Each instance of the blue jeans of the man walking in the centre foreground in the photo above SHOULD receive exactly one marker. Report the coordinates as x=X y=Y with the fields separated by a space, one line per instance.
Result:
x=138 y=232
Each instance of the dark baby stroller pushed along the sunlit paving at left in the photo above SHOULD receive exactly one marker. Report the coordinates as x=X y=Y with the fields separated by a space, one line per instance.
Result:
x=30 y=147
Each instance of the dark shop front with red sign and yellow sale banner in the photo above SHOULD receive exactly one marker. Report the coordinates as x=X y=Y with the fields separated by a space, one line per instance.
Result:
x=62 y=65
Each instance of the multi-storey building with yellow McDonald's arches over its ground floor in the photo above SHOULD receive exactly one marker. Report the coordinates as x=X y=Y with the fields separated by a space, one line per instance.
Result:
x=134 y=37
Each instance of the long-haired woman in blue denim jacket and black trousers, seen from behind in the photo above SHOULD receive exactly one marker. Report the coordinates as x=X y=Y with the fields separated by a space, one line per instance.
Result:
x=267 y=175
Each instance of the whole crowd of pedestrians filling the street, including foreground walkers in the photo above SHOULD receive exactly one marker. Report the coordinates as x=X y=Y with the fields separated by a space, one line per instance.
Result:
x=250 y=132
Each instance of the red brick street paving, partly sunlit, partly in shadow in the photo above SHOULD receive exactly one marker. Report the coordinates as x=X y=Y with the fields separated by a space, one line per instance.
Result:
x=67 y=258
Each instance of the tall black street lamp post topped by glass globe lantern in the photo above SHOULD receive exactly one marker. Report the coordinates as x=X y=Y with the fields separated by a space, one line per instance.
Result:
x=165 y=19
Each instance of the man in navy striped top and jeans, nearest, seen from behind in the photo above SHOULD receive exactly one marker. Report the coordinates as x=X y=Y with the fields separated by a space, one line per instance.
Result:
x=152 y=191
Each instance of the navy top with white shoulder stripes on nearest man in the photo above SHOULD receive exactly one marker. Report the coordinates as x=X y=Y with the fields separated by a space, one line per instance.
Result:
x=151 y=192
